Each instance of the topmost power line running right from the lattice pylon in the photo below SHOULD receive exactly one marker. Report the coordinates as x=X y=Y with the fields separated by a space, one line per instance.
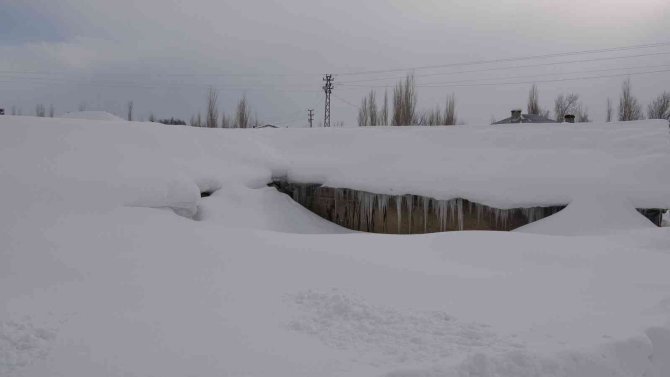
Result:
x=503 y=60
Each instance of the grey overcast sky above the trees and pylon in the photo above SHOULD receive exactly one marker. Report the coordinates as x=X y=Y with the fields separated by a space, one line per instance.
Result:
x=164 y=54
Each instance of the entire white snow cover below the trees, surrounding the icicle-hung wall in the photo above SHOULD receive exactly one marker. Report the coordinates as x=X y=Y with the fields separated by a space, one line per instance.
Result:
x=112 y=265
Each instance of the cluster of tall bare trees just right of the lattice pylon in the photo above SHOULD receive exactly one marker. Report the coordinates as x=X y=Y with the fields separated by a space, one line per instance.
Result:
x=404 y=109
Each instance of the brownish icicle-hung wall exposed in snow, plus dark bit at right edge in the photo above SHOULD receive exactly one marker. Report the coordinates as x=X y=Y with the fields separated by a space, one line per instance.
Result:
x=414 y=214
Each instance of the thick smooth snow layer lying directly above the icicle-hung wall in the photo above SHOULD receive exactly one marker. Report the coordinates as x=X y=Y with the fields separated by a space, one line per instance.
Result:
x=500 y=166
